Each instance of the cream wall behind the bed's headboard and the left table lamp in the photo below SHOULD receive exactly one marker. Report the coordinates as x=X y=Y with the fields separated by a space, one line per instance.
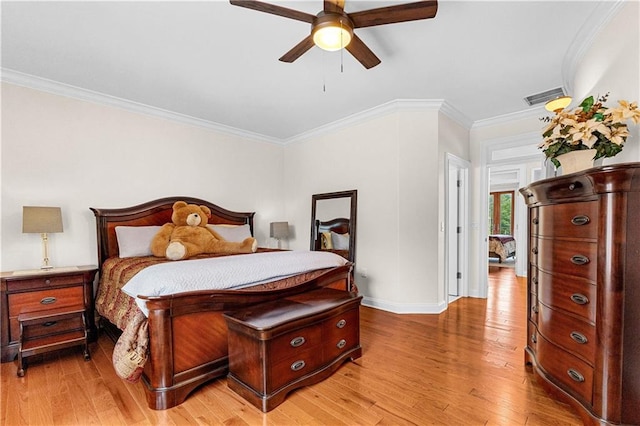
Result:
x=58 y=151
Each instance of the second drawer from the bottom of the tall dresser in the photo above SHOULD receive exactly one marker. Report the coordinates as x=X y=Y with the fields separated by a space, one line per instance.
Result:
x=577 y=337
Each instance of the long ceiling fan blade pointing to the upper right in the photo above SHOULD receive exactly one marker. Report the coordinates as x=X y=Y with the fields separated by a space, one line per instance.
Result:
x=392 y=14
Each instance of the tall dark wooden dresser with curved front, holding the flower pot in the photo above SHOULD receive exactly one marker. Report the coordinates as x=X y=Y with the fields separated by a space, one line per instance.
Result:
x=584 y=290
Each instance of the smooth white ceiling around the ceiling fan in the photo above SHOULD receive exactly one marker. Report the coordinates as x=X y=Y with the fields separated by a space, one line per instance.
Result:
x=219 y=63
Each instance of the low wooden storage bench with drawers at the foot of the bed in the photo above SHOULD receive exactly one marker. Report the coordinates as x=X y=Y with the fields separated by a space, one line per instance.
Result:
x=279 y=346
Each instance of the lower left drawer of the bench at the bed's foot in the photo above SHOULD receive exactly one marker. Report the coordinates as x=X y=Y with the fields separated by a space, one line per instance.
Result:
x=291 y=369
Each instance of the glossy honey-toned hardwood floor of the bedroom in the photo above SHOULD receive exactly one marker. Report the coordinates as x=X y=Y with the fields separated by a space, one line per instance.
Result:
x=465 y=366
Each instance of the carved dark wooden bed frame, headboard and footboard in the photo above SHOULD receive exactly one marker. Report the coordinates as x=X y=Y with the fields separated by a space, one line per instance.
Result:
x=187 y=331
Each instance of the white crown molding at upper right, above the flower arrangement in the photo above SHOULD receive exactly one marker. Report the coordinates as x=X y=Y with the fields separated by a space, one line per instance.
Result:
x=591 y=28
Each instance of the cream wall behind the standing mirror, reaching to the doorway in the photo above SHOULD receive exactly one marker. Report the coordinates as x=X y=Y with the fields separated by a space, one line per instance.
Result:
x=395 y=161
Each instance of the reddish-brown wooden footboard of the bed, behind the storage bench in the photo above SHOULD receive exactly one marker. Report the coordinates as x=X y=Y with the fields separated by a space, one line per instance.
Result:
x=188 y=335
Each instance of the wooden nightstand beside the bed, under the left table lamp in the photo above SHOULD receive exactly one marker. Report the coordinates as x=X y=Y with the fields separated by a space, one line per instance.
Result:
x=45 y=310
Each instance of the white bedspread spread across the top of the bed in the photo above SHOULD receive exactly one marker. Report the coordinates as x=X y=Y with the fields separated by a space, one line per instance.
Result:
x=225 y=272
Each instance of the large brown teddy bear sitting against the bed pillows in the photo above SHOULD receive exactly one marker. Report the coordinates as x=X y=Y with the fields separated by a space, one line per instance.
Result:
x=189 y=235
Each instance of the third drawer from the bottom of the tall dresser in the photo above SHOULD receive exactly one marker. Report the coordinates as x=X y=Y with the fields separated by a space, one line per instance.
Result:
x=572 y=295
